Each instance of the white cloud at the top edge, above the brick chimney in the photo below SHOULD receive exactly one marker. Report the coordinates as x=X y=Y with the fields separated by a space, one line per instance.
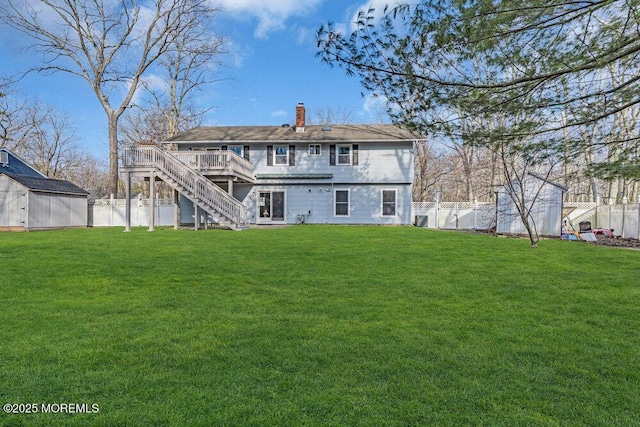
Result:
x=271 y=14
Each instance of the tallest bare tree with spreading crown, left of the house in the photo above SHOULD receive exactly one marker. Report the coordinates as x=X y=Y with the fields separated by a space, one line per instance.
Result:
x=109 y=44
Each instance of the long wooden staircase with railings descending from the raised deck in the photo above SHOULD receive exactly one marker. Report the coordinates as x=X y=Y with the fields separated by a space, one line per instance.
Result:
x=222 y=207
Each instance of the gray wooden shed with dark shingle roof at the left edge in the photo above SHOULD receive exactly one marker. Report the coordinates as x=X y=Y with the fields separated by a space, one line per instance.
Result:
x=31 y=201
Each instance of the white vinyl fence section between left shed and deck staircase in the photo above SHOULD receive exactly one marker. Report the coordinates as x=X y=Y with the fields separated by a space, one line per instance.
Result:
x=112 y=212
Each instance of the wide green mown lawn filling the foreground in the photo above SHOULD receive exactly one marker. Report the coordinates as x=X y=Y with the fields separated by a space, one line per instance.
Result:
x=318 y=325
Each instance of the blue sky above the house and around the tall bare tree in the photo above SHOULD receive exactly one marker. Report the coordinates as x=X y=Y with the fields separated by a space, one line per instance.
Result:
x=272 y=66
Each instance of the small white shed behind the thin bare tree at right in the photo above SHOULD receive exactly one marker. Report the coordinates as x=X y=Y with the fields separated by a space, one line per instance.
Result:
x=542 y=197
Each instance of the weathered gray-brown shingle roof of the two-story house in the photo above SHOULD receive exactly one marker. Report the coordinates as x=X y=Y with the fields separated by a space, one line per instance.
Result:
x=336 y=133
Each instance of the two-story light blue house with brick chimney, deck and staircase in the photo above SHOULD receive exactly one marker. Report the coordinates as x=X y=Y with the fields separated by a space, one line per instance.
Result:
x=236 y=175
